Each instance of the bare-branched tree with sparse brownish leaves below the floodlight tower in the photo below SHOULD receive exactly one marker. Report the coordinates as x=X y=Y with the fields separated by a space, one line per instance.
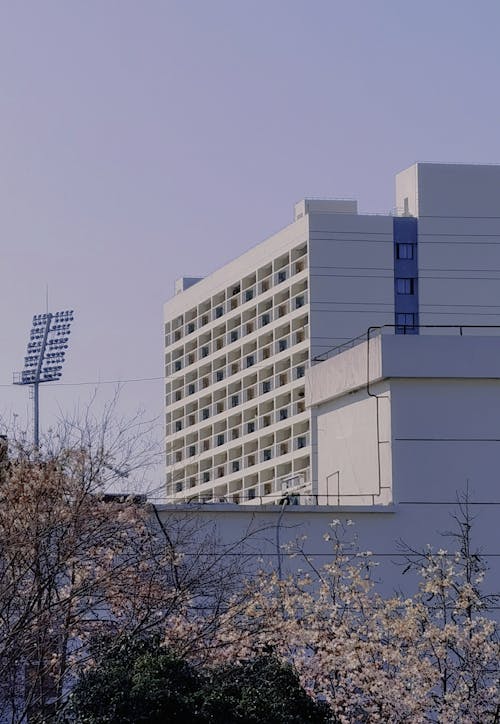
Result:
x=76 y=560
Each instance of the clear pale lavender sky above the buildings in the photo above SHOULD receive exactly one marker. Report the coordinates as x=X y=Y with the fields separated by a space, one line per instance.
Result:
x=143 y=141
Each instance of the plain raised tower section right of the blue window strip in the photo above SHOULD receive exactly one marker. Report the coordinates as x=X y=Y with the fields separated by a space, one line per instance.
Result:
x=458 y=207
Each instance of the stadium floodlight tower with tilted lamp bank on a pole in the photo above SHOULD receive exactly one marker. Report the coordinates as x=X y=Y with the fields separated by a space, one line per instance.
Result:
x=44 y=359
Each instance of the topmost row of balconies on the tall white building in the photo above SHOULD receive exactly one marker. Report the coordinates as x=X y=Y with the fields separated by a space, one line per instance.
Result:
x=218 y=306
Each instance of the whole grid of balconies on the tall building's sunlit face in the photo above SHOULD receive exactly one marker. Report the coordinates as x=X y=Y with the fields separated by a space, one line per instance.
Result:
x=236 y=418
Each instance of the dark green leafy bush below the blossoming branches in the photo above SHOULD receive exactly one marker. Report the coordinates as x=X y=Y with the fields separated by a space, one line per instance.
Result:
x=141 y=681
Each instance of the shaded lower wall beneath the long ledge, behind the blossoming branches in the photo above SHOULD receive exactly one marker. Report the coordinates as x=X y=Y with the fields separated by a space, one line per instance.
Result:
x=380 y=530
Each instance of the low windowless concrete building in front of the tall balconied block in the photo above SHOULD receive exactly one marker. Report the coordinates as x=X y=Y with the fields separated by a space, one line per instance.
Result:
x=407 y=426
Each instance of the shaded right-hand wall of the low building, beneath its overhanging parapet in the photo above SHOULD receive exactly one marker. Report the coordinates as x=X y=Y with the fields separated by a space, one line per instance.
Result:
x=445 y=437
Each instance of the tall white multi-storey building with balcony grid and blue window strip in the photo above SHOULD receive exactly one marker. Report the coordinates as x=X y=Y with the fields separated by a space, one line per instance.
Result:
x=240 y=341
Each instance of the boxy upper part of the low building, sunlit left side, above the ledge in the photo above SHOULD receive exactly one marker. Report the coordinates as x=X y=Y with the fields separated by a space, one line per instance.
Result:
x=415 y=420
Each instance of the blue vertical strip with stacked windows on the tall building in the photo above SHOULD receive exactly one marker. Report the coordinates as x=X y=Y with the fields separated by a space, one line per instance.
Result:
x=405 y=235
